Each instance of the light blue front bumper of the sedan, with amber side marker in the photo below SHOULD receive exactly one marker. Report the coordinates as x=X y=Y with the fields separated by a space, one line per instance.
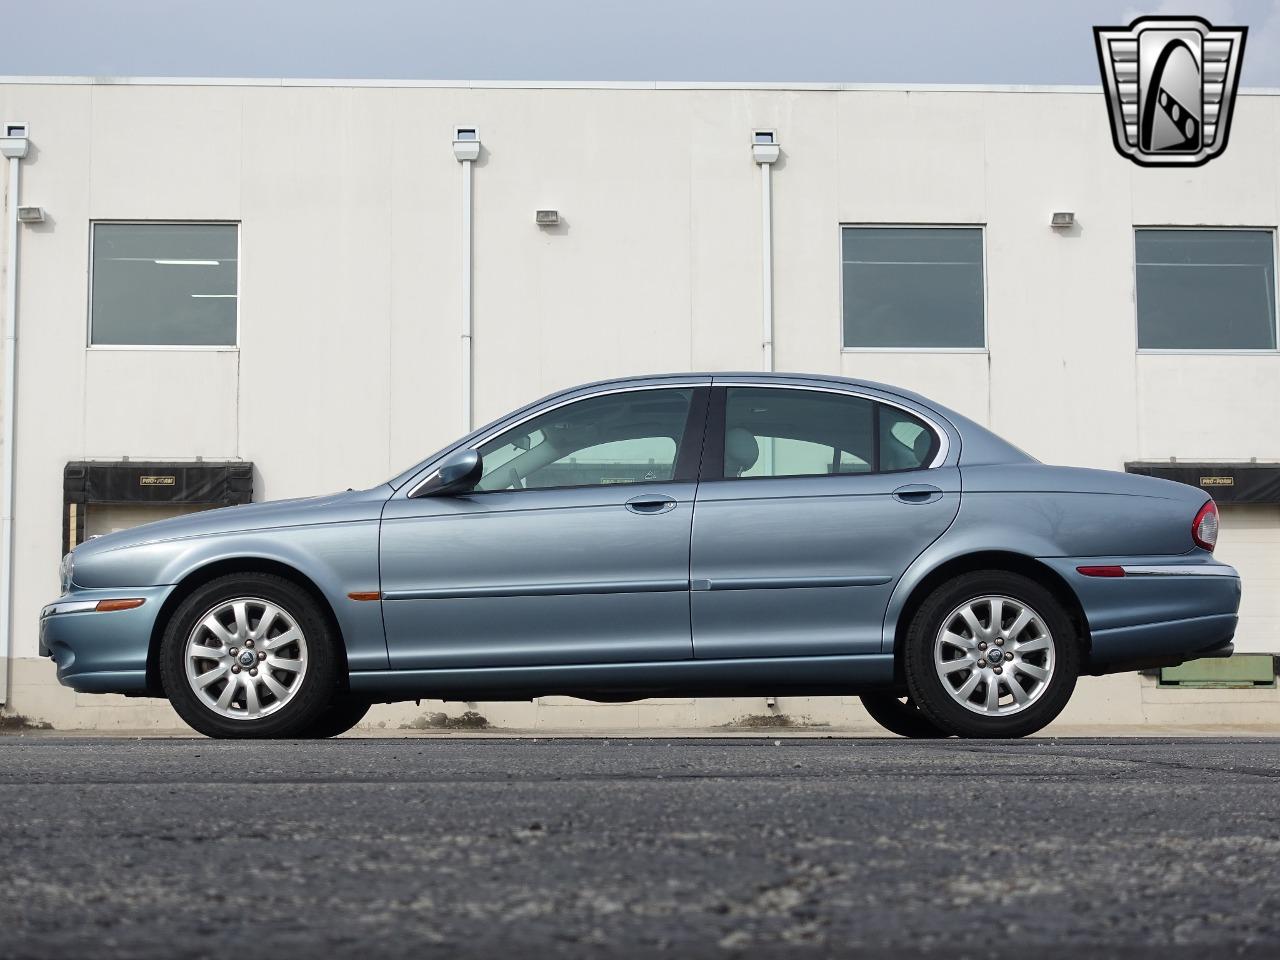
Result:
x=102 y=652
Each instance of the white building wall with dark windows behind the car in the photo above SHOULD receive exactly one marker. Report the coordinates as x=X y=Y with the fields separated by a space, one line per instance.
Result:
x=349 y=202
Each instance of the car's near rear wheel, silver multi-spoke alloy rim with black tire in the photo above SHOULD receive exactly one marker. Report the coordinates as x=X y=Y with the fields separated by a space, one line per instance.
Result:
x=991 y=655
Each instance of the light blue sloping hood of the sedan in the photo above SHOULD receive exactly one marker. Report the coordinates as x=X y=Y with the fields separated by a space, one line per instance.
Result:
x=333 y=509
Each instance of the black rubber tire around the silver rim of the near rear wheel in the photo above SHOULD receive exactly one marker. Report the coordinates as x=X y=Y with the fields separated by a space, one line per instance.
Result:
x=930 y=692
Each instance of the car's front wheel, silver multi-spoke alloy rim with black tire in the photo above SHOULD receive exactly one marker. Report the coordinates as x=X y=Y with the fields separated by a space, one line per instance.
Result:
x=250 y=656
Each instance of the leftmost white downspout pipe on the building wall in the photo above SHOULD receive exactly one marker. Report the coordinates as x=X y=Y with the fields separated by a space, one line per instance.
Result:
x=13 y=147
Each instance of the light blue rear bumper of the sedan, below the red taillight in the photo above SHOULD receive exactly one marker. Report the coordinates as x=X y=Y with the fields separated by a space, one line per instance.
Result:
x=1163 y=612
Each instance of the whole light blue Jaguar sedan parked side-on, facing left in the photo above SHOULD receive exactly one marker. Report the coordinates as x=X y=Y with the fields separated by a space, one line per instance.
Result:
x=693 y=536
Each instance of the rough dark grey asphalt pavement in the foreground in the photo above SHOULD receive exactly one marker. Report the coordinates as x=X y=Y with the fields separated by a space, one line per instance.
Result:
x=751 y=848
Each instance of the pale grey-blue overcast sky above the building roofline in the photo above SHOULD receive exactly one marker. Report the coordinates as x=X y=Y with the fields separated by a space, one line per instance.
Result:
x=871 y=42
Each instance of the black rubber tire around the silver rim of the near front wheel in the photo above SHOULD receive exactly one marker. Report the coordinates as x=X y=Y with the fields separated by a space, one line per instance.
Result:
x=303 y=708
